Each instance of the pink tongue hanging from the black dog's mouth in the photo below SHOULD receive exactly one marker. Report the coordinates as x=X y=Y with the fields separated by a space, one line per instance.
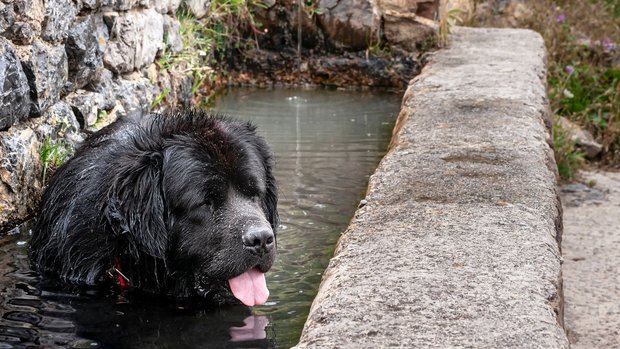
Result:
x=250 y=287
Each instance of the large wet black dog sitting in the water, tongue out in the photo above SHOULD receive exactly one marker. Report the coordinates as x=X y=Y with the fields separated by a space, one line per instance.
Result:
x=182 y=204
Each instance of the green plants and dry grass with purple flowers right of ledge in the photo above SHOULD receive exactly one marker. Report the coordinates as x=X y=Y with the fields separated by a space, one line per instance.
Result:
x=582 y=39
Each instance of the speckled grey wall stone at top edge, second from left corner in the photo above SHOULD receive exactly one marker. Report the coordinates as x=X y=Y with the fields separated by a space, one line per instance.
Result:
x=59 y=15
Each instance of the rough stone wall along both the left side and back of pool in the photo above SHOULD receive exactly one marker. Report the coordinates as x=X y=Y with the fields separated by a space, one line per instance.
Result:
x=69 y=67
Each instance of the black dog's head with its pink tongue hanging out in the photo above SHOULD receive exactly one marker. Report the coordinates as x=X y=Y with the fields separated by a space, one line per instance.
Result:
x=195 y=208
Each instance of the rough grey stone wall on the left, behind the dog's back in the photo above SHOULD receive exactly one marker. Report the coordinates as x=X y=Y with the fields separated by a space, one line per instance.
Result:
x=68 y=67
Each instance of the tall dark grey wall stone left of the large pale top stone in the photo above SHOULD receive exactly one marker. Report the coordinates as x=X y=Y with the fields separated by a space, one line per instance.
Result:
x=85 y=46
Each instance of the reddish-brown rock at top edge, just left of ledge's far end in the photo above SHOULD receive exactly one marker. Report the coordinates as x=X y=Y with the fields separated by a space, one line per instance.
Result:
x=407 y=24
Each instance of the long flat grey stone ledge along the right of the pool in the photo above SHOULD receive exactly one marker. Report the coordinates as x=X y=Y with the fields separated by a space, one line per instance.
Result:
x=458 y=243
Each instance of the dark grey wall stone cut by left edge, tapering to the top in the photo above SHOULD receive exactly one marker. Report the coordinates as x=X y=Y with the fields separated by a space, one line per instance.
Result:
x=15 y=102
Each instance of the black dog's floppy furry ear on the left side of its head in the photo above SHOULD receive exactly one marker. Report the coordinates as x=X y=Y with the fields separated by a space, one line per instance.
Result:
x=136 y=205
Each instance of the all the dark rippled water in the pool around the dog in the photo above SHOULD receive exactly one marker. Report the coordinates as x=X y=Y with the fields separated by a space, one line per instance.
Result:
x=326 y=143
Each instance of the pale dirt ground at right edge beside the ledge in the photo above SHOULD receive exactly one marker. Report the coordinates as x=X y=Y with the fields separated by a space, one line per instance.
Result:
x=591 y=249
